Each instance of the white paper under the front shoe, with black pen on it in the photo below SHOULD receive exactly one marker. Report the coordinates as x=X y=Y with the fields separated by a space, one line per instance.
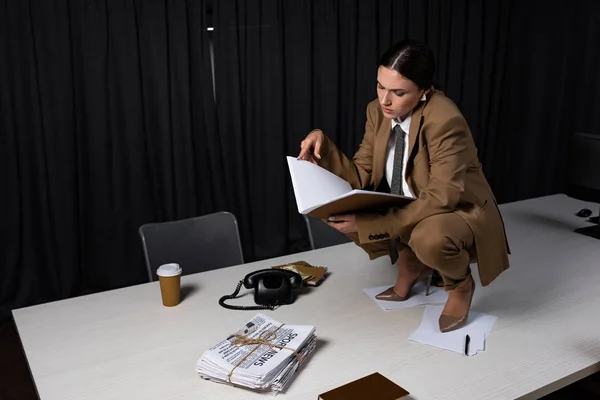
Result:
x=478 y=326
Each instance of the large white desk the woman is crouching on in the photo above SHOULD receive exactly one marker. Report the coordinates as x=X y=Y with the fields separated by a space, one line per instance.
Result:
x=124 y=344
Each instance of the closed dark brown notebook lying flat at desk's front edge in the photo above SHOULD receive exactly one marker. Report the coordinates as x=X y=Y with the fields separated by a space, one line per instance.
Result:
x=371 y=387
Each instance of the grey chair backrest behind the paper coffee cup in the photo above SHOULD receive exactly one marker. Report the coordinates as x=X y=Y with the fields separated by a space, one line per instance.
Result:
x=197 y=244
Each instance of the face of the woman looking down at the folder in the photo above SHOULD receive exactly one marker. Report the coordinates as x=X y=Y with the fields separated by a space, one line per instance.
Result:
x=397 y=94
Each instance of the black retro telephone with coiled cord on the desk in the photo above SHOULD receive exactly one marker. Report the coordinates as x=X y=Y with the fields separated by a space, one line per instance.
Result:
x=272 y=287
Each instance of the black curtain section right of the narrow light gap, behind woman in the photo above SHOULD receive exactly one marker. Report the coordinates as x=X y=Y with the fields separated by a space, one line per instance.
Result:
x=524 y=74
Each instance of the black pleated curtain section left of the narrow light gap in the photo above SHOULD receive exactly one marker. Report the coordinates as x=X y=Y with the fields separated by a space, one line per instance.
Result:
x=107 y=121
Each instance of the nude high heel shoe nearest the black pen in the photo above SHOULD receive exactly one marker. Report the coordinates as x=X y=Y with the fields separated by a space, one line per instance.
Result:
x=456 y=311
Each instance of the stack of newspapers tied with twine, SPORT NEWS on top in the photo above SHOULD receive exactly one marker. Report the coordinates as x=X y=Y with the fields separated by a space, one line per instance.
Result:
x=262 y=356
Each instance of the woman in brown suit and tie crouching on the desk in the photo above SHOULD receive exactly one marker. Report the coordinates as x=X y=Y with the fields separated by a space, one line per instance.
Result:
x=417 y=143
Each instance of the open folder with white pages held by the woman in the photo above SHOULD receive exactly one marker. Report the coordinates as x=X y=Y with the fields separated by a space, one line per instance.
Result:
x=320 y=193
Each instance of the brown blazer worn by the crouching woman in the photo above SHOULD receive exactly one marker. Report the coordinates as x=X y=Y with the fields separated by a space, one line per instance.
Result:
x=443 y=171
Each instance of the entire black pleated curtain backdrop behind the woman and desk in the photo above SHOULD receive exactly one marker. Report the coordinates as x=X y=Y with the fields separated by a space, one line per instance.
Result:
x=108 y=121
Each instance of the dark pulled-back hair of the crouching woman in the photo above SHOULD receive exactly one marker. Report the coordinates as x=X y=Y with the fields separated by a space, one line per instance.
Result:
x=413 y=60
